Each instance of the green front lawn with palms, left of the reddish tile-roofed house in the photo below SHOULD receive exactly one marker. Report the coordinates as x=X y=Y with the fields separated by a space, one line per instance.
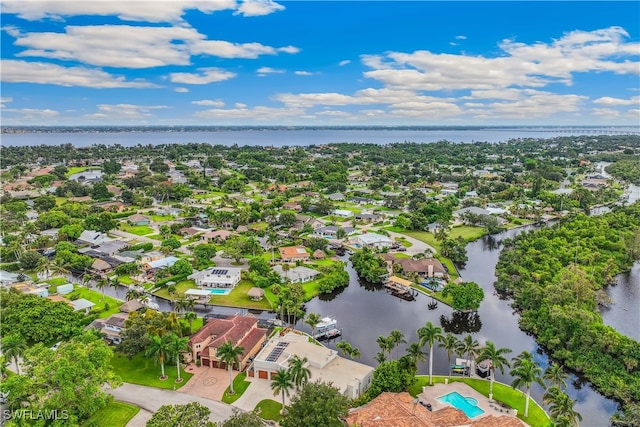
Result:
x=146 y=371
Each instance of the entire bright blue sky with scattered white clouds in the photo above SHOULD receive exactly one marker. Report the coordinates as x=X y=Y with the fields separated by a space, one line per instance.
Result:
x=261 y=62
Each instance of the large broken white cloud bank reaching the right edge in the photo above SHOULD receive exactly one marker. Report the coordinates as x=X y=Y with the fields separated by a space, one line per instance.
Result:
x=535 y=65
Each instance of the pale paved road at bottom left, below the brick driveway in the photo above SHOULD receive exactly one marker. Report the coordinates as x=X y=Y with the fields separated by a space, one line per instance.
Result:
x=151 y=399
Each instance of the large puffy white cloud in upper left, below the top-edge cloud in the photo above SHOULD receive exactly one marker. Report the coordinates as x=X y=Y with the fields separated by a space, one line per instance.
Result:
x=129 y=46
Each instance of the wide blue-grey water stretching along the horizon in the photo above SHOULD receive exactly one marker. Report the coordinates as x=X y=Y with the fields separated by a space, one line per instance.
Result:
x=300 y=137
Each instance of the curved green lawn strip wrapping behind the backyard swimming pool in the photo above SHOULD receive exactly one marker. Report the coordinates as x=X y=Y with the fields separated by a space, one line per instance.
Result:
x=501 y=392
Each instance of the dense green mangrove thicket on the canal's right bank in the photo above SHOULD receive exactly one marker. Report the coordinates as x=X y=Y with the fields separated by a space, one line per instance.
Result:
x=556 y=277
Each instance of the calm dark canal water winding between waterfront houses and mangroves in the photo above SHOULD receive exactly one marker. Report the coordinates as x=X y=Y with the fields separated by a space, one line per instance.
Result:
x=365 y=313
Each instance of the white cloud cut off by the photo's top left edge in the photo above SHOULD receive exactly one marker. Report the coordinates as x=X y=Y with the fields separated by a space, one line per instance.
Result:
x=138 y=10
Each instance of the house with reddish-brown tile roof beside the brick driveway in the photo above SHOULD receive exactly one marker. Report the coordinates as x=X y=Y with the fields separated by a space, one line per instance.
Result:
x=241 y=331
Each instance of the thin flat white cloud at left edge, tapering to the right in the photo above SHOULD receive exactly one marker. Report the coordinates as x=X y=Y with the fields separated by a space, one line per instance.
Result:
x=44 y=73
